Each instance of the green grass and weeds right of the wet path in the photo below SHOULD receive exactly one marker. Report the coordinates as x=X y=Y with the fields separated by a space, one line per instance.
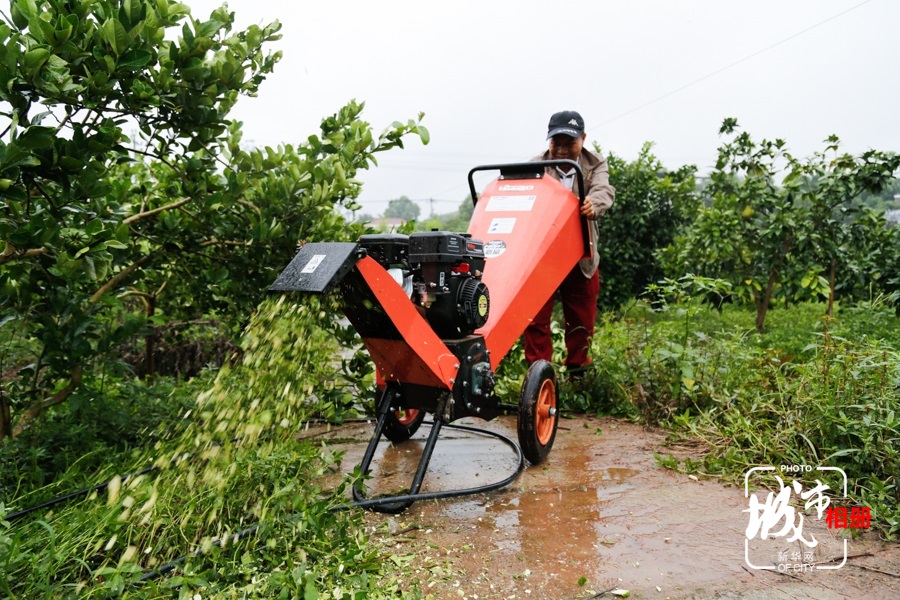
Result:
x=809 y=391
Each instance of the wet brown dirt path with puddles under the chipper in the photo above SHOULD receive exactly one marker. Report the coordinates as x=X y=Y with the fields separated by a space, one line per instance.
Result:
x=599 y=517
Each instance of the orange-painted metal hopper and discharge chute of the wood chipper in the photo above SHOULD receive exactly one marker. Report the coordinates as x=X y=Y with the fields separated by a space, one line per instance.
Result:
x=533 y=236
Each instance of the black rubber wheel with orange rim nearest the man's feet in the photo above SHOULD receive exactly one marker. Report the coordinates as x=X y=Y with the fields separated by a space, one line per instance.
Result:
x=538 y=414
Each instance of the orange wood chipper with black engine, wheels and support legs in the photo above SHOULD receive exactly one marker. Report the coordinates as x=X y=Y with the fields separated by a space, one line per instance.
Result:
x=438 y=310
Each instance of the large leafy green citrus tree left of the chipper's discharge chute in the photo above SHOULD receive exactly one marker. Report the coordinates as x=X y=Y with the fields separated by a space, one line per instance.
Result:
x=125 y=193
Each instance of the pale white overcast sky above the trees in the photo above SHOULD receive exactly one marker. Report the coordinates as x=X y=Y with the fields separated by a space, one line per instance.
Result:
x=489 y=74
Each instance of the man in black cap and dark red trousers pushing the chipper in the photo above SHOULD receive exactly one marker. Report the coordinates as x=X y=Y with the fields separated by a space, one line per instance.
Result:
x=581 y=286
